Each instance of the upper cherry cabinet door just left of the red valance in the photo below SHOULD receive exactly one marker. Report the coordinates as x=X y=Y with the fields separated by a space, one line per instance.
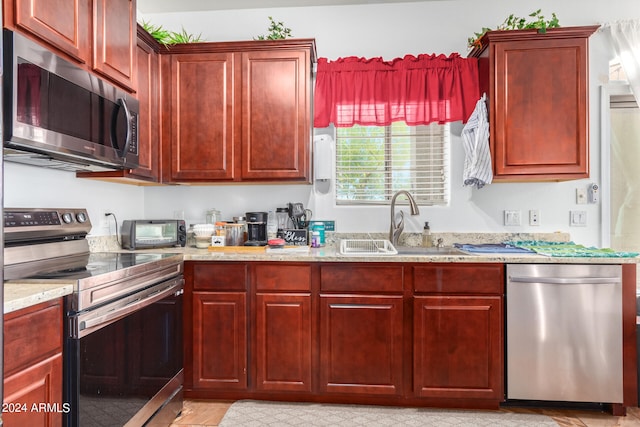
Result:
x=275 y=113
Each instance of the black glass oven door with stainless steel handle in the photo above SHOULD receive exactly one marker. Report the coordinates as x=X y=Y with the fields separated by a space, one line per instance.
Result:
x=123 y=361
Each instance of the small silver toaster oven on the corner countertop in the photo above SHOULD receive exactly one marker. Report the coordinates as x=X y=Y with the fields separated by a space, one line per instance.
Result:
x=153 y=233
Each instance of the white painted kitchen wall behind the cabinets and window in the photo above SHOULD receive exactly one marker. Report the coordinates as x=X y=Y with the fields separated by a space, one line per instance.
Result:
x=387 y=31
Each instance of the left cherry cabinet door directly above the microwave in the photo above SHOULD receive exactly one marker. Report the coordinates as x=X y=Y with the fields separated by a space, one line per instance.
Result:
x=63 y=23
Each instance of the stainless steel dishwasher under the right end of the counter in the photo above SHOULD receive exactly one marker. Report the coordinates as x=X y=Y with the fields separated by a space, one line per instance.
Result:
x=564 y=332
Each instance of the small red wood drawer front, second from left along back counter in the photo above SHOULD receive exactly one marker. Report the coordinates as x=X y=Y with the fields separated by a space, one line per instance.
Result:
x=282 y=277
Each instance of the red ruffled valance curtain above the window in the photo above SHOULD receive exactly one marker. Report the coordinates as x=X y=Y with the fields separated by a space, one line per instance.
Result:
x=418 y=90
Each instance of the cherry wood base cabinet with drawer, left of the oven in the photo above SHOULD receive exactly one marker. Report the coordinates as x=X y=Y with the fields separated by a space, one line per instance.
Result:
x=33 y=365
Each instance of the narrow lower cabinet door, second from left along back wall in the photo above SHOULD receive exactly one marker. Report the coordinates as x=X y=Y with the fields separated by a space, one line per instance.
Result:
x=283 y=342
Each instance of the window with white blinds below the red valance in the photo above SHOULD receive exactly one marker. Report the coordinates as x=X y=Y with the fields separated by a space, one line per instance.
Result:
x=374 y=162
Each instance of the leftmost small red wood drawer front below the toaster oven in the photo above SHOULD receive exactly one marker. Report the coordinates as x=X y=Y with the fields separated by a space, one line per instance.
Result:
x=220 y=277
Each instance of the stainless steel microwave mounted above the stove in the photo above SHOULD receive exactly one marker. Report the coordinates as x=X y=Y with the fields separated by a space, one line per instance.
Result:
x=56 y=114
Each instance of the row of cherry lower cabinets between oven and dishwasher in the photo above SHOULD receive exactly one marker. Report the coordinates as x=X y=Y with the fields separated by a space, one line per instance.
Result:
x=382 y=333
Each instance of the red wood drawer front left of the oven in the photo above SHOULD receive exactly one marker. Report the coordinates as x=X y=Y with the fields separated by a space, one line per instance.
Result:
x=31 y=335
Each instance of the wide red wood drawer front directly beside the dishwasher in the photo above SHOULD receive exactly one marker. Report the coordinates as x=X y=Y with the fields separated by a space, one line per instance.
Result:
x=459 y=278
